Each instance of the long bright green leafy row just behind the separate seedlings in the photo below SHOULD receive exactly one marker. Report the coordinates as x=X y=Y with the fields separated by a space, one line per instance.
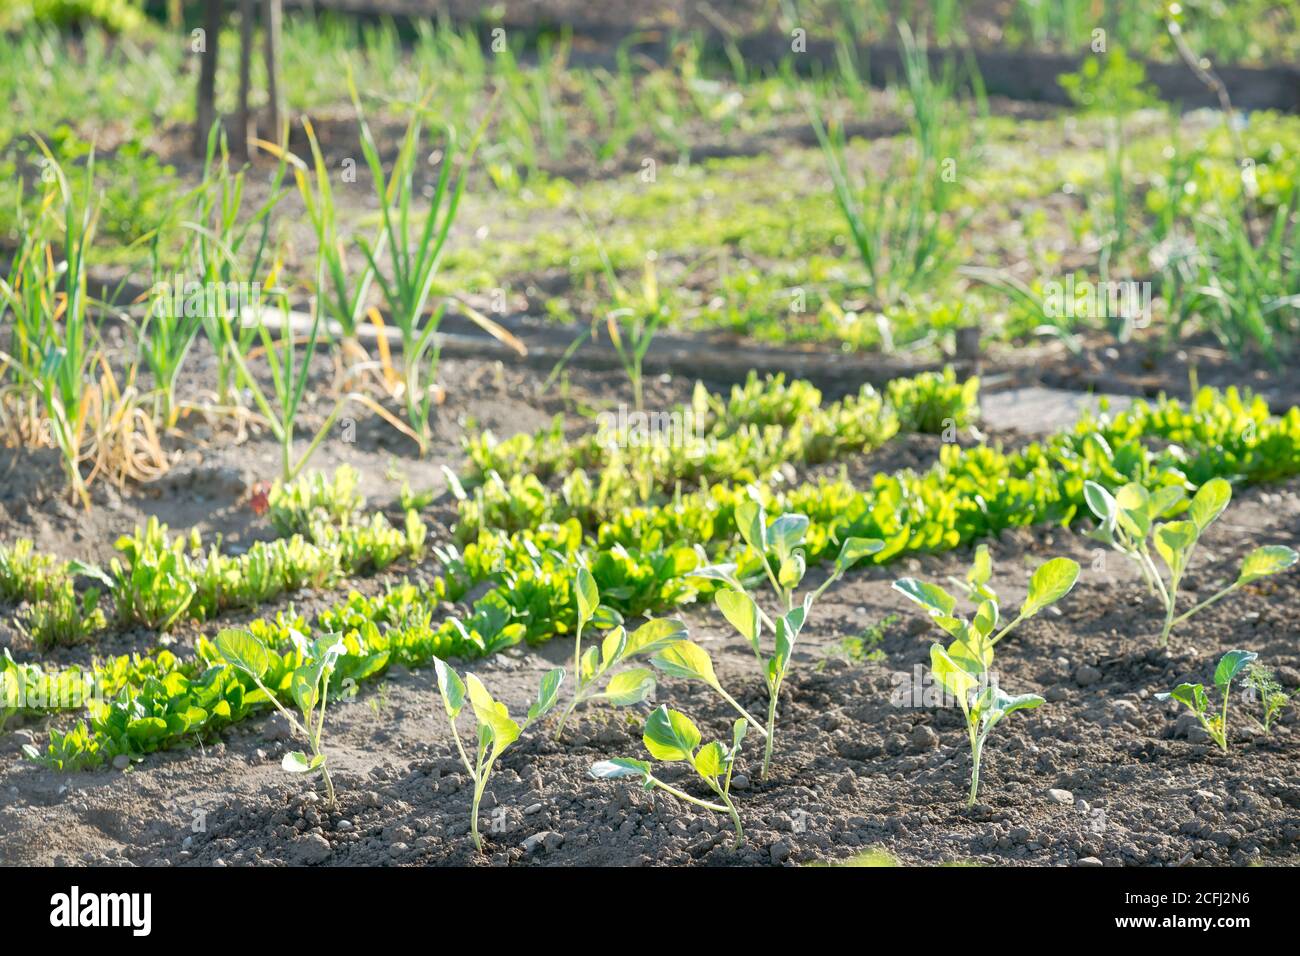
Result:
x=969 y=494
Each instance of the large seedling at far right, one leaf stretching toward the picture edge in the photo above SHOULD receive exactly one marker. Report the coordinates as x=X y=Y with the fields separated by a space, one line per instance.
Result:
x=1130 y=518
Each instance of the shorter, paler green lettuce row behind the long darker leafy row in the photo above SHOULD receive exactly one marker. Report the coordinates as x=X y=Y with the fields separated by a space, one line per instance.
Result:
x=162 y=581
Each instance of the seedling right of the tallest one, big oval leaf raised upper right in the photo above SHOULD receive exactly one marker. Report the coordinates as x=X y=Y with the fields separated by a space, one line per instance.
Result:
x=965 y=668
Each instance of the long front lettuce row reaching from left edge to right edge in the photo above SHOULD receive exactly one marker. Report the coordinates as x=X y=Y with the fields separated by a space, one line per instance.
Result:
x=643 y=560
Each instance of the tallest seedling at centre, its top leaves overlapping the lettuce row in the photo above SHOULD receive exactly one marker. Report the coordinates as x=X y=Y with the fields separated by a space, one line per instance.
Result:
x=782 y=556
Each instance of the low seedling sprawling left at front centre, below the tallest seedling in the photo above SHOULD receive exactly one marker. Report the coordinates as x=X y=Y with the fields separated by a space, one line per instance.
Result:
x=670 y=737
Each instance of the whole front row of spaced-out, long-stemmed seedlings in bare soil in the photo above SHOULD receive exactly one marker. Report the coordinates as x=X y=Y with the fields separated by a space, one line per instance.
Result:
x=964 y=669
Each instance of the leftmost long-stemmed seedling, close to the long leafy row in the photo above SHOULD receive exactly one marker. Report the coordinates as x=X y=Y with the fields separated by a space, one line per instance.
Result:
x=309 y=686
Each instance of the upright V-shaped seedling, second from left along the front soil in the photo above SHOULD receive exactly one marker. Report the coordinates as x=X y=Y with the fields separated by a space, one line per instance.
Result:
x=496 y=729
